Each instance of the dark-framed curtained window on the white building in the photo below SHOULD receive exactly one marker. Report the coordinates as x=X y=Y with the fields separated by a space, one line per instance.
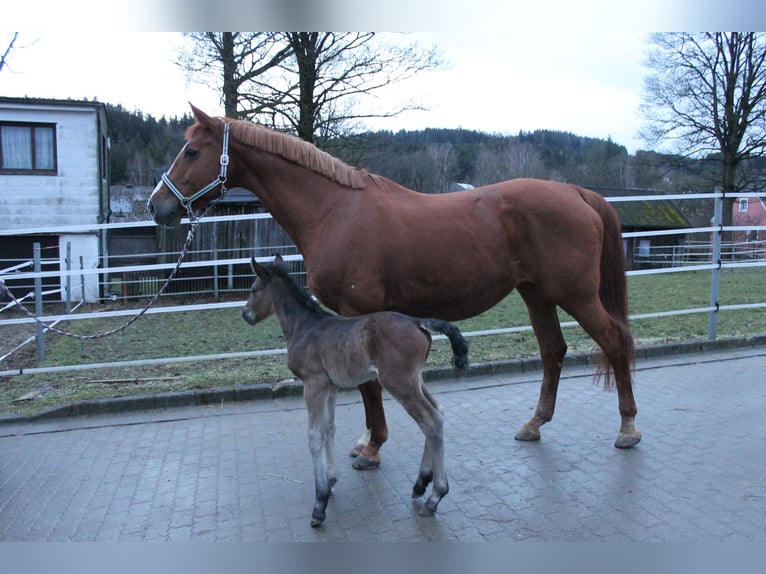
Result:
x=27 y=148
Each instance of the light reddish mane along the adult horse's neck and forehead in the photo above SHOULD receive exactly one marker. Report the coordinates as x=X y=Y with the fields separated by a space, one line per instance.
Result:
x=297 y=151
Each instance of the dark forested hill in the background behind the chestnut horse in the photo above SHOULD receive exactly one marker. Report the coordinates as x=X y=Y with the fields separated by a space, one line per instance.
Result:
x=431 y=160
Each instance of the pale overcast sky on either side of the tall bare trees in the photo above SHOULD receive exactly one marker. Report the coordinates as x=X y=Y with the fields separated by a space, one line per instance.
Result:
x=528 y=80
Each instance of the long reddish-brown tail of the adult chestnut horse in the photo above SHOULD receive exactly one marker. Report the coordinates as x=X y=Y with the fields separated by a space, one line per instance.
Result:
x=613 y=288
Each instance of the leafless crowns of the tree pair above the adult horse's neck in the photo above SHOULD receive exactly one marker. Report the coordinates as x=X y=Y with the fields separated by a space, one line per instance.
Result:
x=309 y=83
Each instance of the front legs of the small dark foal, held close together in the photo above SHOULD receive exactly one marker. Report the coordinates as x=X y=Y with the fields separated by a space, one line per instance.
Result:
x=316 y=393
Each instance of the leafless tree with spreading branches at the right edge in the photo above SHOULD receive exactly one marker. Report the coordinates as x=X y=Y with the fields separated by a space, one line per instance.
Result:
x=707 y=94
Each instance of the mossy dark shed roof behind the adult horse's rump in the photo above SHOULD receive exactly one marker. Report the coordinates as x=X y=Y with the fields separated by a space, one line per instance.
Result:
x=654 y=214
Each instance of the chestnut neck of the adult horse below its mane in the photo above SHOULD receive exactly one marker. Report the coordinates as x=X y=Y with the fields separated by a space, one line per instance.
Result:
x=298 y=198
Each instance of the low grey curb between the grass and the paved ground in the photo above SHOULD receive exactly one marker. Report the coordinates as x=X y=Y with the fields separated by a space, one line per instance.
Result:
x=213 y=396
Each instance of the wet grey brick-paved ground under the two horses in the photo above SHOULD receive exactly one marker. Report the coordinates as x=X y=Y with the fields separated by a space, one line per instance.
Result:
x=242 y=472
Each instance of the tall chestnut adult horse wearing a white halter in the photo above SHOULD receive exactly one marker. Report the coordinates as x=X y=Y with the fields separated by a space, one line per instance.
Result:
x=370 y=245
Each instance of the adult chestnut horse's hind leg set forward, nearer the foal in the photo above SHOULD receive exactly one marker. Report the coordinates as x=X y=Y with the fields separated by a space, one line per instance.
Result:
x=553 y=347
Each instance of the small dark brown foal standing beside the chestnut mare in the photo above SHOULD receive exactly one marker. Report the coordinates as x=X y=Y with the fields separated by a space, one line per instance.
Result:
x=327 y=352
